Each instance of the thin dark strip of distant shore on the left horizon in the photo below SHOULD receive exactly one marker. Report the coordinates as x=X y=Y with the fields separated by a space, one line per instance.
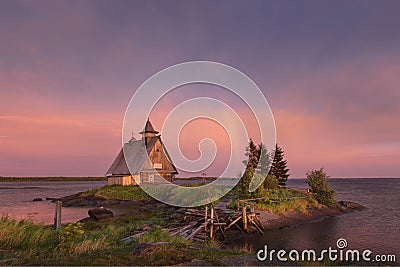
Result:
x=51 y=179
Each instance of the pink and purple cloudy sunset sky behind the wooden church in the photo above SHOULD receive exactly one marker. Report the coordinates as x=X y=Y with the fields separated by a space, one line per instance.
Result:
x=330 y=71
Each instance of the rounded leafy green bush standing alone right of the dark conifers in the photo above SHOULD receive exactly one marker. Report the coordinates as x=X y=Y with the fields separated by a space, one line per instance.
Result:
x=318 y=182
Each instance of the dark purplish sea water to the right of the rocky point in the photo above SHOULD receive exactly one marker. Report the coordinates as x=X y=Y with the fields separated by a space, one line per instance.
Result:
x=377 y=228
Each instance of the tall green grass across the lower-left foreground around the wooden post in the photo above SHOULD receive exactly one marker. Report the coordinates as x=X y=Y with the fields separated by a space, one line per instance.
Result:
x=98 y=243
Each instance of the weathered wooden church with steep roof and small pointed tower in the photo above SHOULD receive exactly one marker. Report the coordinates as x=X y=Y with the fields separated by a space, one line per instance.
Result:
x=148 y=162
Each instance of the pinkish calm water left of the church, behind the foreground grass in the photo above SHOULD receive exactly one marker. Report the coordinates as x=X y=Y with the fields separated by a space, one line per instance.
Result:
x=16 y=200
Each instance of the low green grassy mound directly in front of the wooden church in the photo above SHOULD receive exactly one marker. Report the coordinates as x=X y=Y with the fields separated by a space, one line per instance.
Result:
x=118 y=192
